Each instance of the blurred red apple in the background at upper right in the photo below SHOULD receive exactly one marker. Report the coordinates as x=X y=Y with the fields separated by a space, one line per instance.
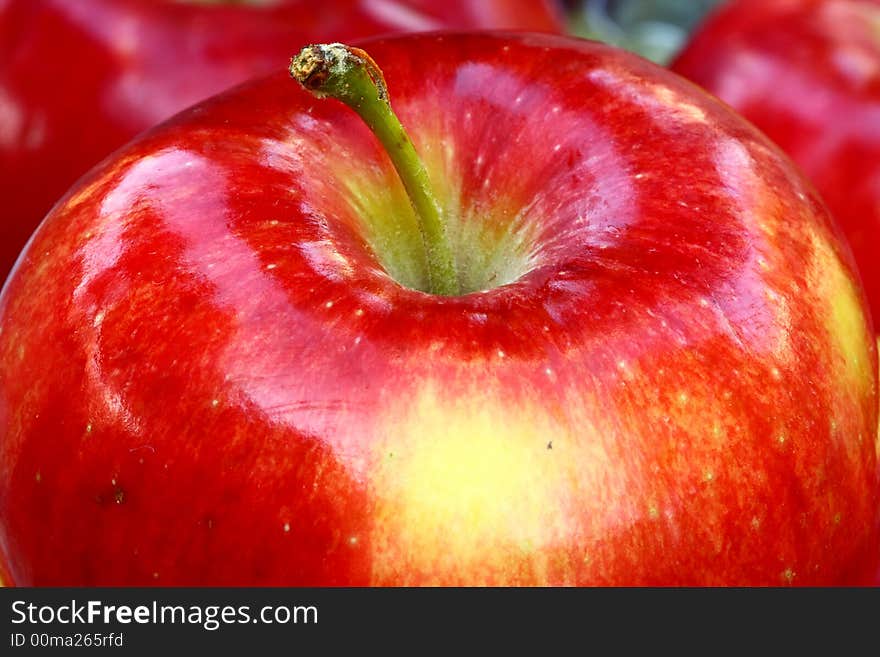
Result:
x=808 y=74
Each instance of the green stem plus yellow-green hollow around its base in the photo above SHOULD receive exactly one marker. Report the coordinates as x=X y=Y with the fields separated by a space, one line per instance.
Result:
x=426 y=238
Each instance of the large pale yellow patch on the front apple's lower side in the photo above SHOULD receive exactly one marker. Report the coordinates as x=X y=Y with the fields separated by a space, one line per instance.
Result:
x=475 y=490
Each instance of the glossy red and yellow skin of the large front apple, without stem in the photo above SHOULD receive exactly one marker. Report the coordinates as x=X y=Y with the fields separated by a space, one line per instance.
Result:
x=208 y=377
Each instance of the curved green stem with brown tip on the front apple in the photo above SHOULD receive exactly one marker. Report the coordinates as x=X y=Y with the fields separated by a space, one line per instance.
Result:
x=350 y=75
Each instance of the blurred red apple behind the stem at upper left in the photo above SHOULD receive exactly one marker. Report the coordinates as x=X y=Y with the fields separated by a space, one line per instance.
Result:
x=79 y=79
